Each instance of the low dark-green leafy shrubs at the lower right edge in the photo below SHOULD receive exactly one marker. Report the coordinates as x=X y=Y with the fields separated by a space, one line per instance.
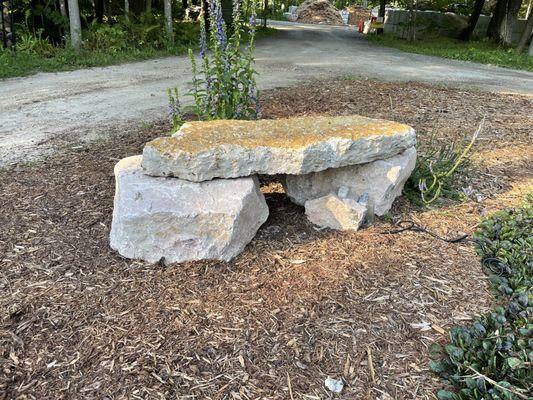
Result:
x=491 y=359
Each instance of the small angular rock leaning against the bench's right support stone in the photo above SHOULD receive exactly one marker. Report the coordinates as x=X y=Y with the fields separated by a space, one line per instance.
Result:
x=336 y=213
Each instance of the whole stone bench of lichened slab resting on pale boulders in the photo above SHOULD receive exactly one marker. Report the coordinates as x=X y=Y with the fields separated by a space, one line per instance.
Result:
x=196 y=195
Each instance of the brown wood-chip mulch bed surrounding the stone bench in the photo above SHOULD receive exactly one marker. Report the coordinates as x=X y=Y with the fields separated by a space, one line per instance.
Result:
x=77 y=321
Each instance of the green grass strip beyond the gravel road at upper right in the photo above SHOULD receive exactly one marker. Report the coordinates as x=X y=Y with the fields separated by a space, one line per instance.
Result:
x=480 y=51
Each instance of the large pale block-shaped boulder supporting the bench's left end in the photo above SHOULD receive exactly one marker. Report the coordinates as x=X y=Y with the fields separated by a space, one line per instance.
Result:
x=175 y=220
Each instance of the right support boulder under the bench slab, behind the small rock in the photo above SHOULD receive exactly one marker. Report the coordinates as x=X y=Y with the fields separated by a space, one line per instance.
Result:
x=382 y=180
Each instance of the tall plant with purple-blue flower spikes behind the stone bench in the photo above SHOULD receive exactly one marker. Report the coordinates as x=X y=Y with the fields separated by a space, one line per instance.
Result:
x=224 y=85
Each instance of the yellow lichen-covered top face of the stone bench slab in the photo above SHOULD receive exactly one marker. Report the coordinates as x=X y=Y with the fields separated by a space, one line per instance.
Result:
x=196 y=137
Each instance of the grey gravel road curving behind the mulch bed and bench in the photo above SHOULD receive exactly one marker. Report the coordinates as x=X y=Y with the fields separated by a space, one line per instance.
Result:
x=40 y=112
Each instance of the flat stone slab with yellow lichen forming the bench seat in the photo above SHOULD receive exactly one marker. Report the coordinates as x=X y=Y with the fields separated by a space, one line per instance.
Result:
x=201 y=151
